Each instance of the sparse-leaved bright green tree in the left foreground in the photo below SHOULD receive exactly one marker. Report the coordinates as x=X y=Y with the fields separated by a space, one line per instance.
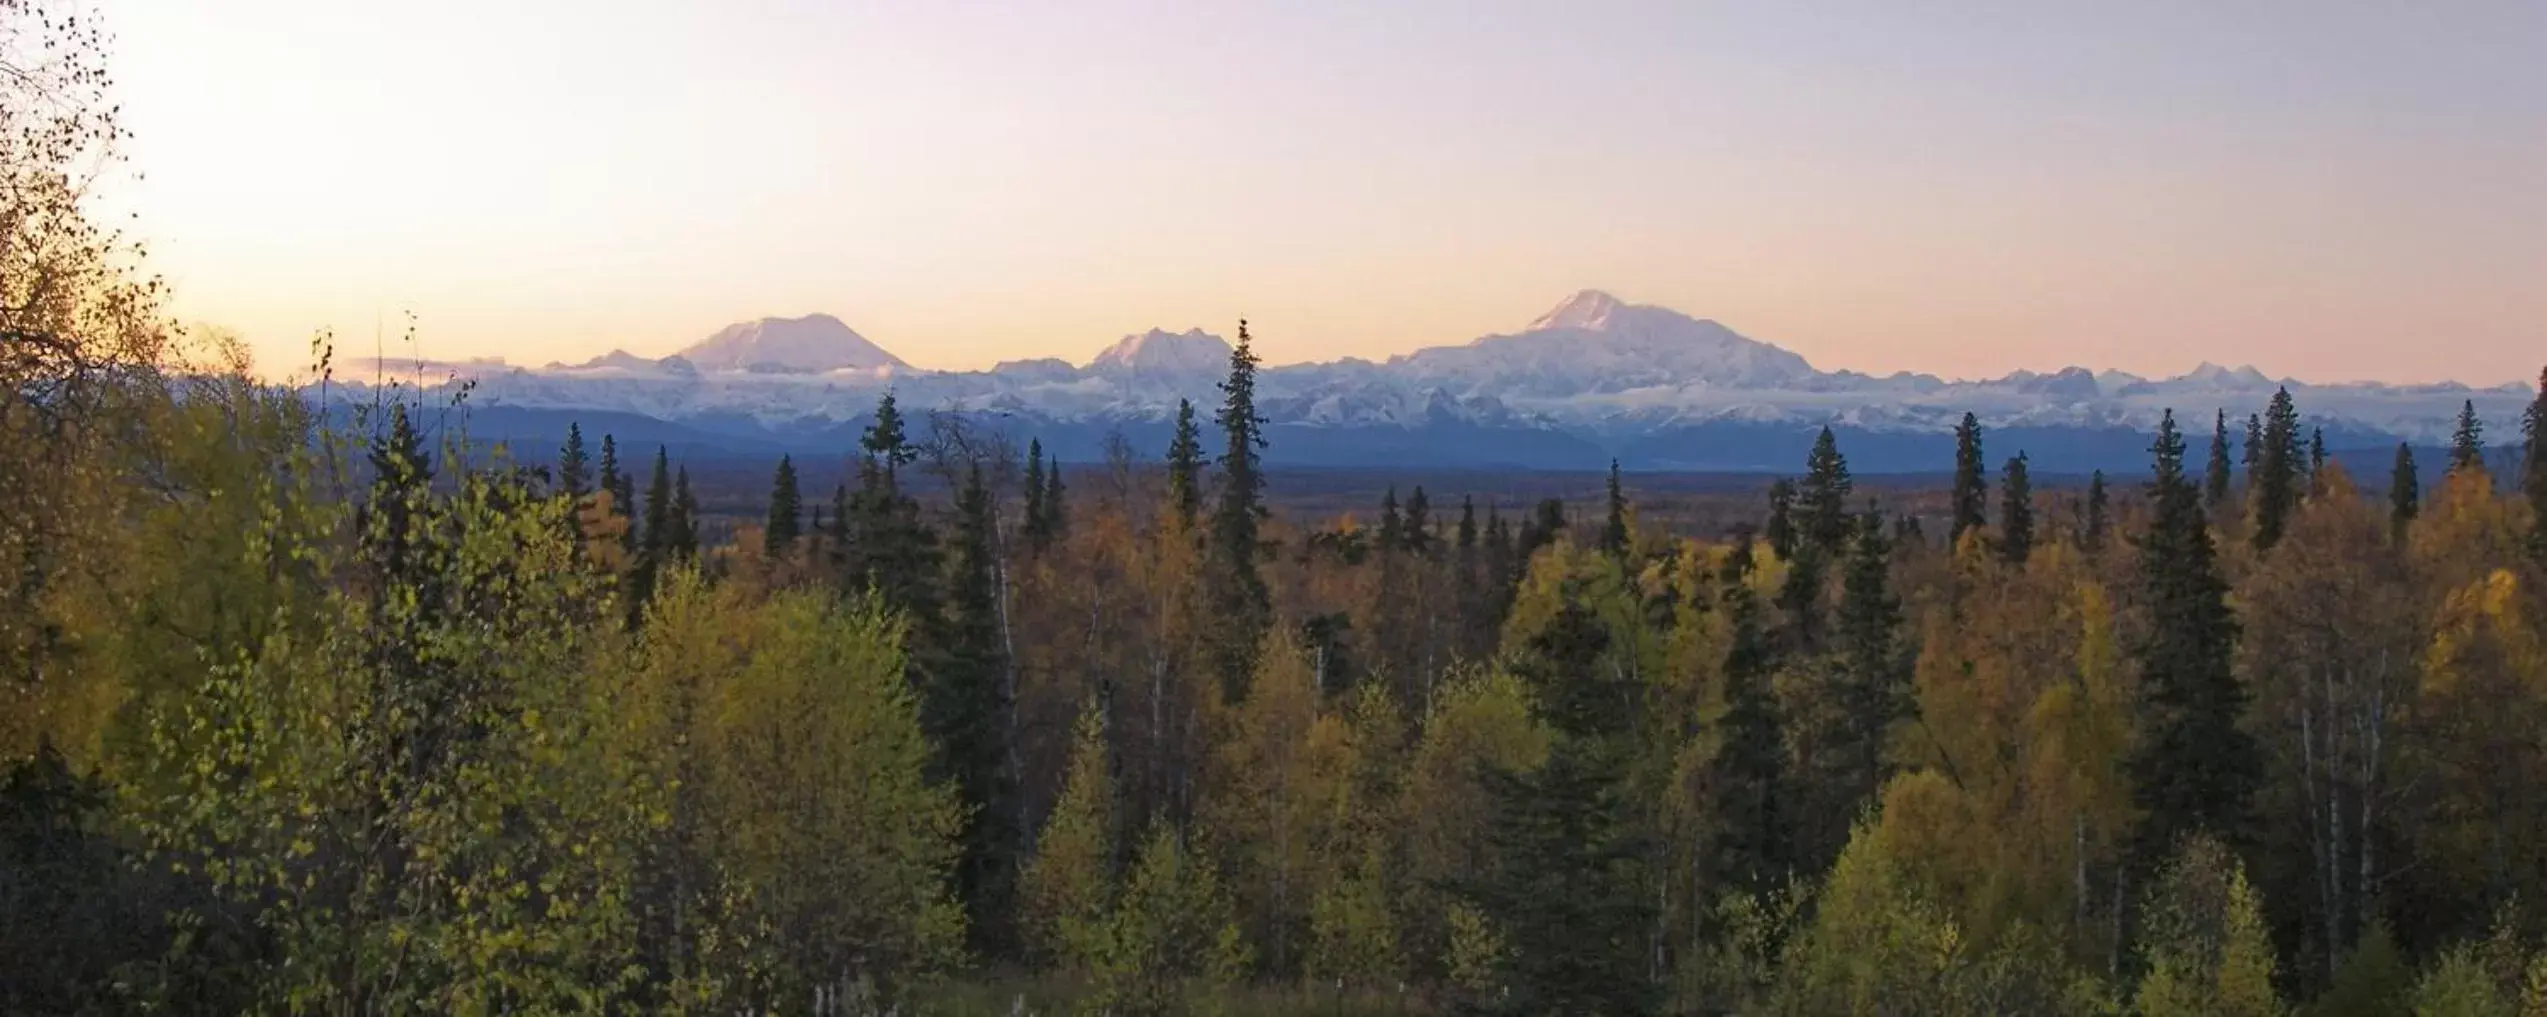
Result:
x=391 y=784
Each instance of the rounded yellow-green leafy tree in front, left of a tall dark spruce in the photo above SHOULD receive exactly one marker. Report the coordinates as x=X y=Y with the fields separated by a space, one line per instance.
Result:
x=804 y=837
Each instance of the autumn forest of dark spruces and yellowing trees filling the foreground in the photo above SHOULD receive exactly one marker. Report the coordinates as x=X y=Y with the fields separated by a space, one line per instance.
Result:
x=330 y=710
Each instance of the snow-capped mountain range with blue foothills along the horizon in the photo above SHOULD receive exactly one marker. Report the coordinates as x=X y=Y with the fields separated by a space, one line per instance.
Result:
x=1591 y=381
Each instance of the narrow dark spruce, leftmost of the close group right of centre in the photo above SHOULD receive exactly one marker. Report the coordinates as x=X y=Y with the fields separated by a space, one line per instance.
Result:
x=1749 y=827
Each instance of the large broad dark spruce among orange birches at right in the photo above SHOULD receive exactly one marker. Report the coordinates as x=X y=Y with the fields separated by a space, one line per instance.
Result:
x=2194 y=763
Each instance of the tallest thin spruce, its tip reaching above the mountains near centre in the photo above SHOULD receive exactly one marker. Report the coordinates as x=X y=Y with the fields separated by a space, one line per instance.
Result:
x=1237 y=593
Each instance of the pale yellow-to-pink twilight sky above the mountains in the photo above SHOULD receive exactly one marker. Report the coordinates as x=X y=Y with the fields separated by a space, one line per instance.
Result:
x=2327 y=190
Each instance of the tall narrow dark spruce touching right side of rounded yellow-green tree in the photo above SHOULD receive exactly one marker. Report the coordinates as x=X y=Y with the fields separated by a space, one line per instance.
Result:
x=967 y=712
